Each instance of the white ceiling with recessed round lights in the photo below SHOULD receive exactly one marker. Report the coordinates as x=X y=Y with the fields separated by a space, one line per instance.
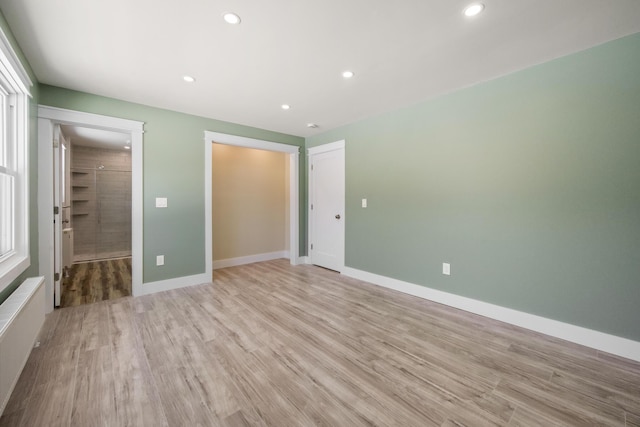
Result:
x=294 y=51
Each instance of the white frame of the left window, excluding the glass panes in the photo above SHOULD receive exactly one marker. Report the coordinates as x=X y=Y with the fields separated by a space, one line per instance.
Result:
x=15 y=81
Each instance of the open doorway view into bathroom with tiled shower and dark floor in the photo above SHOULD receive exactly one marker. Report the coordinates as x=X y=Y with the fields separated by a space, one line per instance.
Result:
x=96 y=238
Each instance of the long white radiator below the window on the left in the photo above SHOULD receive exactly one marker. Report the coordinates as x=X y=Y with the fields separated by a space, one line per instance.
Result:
x=21 y=318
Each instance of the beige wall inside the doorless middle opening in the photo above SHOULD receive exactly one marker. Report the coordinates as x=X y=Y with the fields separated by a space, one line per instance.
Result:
x=249 y=201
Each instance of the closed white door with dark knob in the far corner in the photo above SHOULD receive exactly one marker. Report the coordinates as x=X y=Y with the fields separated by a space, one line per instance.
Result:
x=326 y=208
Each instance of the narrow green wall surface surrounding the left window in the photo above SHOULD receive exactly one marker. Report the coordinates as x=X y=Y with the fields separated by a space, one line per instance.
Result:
x=33 y=164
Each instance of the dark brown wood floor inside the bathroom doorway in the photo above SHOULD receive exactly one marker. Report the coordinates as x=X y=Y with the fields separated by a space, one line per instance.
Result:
x=94 y=281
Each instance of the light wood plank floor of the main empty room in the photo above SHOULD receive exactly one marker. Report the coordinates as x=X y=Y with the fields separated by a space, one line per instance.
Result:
x=268 y=344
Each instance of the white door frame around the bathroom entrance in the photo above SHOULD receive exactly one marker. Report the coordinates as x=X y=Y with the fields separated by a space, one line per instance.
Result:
x=47 y=118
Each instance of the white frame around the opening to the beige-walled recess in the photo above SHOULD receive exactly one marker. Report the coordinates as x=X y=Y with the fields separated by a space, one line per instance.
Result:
x=241 y=141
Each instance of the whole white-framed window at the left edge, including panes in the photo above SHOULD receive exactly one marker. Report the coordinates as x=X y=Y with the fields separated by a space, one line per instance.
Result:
x=14 y=196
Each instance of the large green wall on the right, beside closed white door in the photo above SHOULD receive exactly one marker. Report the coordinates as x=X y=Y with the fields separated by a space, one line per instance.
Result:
x=529 y=185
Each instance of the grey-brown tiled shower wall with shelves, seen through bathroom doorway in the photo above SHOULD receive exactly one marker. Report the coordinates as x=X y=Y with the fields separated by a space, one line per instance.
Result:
x=100 y=203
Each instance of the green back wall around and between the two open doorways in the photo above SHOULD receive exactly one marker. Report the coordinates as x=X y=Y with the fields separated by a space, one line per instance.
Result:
x=173 y=168
